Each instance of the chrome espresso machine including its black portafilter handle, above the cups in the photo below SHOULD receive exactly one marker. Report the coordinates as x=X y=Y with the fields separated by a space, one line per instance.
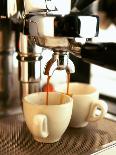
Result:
x=46 y=24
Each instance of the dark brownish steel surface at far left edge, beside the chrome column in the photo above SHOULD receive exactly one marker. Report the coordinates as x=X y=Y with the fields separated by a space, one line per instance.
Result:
x=9 y=88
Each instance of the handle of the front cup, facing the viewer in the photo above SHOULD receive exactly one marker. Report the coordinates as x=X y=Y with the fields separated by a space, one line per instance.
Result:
x=40 y=125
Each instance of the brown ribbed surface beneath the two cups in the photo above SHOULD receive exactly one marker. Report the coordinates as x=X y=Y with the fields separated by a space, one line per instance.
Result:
x=15 y=139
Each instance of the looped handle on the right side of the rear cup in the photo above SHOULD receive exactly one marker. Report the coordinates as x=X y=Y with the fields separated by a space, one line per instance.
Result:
x=97 y=105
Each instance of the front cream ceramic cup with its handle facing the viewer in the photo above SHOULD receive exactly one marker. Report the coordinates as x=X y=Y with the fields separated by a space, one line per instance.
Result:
x=47 y=123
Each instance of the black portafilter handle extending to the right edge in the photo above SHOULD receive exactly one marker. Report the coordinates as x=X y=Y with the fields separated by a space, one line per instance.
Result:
x=101 y=54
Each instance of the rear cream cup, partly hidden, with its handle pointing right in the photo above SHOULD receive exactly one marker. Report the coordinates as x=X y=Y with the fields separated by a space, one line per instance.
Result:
x=86 y=103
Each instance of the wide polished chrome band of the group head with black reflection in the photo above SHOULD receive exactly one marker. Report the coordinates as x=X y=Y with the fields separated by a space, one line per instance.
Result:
x=69 y=26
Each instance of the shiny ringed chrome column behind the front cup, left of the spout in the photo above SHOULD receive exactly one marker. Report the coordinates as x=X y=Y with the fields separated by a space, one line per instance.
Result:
x=29 y=65
